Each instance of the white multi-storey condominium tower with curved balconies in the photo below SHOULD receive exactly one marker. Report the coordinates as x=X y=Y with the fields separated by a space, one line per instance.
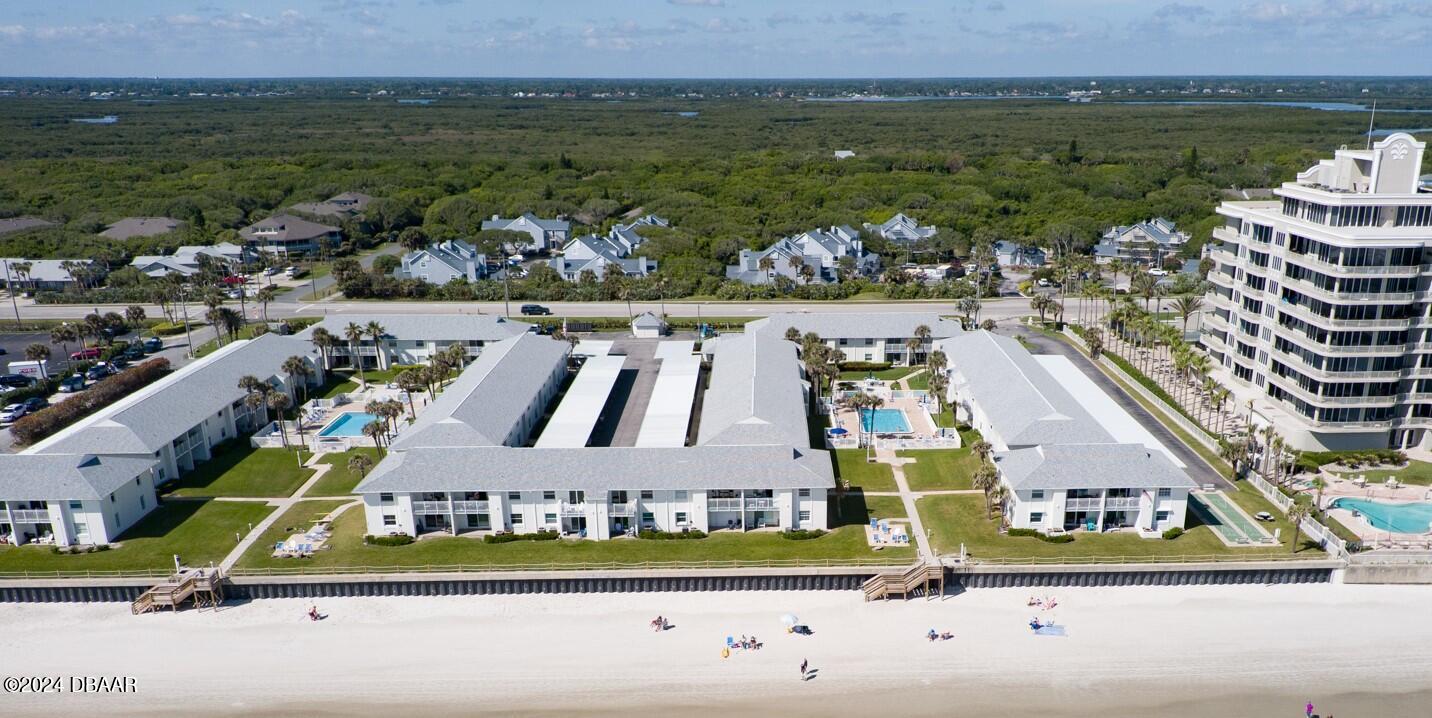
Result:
x=1320 y=302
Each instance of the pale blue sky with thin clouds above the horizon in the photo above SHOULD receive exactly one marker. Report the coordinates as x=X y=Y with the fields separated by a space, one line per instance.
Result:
x=712 y=38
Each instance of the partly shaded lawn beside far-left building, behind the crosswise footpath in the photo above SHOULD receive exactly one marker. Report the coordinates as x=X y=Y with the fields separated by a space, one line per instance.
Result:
x=238 y=469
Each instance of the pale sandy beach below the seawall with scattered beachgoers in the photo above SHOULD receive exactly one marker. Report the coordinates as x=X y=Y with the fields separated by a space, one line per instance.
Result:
x=1229 y=651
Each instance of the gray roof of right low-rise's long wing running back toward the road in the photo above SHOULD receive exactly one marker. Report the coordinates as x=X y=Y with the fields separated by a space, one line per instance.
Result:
x=1026 y=403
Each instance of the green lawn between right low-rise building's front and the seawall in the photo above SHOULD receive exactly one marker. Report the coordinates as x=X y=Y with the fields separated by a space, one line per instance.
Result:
x=957 y=521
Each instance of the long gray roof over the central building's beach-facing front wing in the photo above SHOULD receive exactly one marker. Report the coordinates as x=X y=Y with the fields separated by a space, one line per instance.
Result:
x=601 y=469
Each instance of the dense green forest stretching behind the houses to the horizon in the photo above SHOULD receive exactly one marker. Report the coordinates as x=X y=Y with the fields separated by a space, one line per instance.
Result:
x=740 y=173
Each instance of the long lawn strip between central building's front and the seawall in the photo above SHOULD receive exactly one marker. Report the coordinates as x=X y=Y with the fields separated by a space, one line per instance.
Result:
x=847 y=542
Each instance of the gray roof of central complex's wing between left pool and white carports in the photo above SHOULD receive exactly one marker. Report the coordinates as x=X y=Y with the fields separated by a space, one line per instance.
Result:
x=490 y=398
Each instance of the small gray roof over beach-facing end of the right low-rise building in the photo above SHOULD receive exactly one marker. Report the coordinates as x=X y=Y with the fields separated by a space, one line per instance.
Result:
x=1090 y=466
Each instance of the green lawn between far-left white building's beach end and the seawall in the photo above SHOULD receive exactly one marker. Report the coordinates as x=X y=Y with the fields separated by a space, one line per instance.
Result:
x=200 y=532
